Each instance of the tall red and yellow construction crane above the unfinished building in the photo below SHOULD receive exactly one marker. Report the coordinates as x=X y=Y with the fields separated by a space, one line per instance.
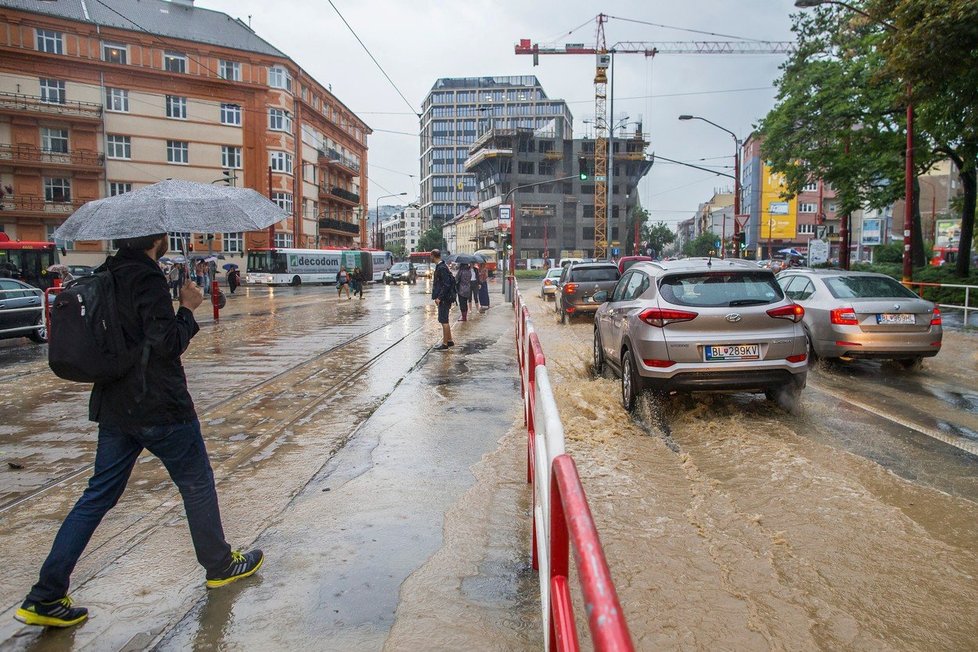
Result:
x=603 y=58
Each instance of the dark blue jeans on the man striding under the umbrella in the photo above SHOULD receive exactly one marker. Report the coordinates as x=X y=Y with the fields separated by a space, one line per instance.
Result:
x=181 y=449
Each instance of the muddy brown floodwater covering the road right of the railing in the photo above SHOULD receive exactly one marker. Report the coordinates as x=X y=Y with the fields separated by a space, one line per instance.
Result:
x=730 y=524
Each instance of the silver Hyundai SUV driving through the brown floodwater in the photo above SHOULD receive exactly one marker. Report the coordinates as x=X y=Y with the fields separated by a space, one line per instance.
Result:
x=701 y=324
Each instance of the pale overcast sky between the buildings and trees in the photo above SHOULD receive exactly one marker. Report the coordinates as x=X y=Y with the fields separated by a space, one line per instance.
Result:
x=418 y=41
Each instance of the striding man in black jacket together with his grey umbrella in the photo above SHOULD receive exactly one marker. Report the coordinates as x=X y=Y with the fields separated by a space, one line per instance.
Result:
x=149 y=406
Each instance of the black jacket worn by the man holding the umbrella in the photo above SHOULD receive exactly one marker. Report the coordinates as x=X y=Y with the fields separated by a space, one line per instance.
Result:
x=146 y=314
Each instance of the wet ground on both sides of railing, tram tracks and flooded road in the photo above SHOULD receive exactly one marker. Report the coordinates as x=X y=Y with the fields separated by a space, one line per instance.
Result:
x=728 y=523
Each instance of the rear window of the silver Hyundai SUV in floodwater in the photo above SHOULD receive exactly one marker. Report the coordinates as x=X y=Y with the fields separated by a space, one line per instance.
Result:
x=721 y=289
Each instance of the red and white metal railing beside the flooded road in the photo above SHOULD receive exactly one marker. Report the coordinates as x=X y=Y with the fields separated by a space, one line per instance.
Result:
x=561 y=517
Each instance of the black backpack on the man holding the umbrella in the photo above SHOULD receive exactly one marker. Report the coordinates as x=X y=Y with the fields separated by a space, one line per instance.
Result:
x=85 y=339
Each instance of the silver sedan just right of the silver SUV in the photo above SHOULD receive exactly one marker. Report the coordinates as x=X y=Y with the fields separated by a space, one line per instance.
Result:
x=863 y=315
